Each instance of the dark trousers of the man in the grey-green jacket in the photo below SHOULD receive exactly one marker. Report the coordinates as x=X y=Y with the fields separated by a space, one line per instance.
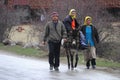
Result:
x=54 y=53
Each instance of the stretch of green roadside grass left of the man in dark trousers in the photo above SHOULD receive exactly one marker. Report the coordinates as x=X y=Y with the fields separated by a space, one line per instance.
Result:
x=32 y=52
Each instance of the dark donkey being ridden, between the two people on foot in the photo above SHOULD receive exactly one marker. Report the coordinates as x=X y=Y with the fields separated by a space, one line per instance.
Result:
x=71 y=49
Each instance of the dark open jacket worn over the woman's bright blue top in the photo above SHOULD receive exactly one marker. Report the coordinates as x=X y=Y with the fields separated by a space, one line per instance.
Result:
x=95 y=35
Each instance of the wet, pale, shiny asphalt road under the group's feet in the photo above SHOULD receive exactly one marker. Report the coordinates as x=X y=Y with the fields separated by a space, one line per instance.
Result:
x=21 y=68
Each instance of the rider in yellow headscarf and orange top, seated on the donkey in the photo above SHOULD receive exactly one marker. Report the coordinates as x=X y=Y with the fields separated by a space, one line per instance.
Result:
x=71 y=23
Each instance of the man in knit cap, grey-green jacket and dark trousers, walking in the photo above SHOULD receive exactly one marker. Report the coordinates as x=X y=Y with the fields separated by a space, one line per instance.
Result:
x=54 y=32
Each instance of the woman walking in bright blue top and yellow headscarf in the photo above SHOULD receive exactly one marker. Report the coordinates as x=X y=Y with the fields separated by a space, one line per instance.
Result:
x=92 y=37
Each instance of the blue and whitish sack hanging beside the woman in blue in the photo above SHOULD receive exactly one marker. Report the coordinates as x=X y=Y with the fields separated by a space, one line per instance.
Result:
x=83 y=44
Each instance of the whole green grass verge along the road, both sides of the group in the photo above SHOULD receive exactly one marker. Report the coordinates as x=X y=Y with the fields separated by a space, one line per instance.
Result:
x=32 y=52
